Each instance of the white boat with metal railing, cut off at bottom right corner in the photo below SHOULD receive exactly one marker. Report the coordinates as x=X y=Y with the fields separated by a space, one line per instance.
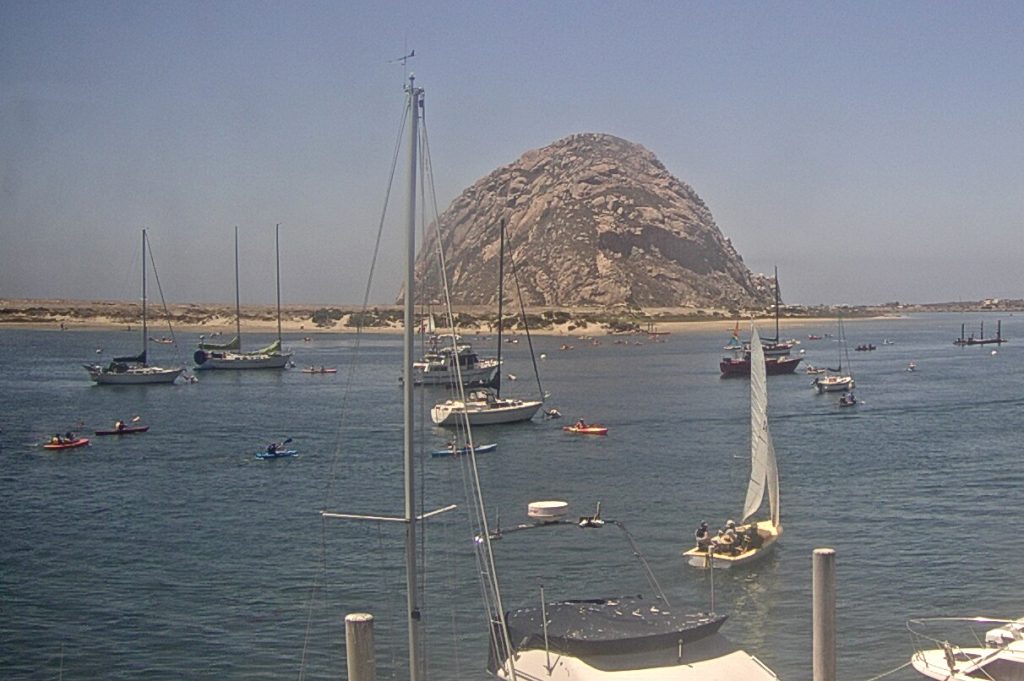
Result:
x=1001 y=658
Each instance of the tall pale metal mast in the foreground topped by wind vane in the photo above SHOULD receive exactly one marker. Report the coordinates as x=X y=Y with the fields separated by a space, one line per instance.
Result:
x=415 y=102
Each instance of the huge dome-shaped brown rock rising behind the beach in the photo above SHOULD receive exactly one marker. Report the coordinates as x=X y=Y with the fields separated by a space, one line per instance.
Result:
x=591 y=220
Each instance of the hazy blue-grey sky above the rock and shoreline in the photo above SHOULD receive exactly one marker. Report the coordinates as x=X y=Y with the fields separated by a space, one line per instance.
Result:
x=873 y=151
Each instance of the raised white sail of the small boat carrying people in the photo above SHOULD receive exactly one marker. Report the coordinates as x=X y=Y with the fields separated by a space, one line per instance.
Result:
x=763 y=471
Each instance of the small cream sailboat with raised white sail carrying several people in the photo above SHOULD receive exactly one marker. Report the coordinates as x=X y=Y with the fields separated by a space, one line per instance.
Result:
x=751 y=540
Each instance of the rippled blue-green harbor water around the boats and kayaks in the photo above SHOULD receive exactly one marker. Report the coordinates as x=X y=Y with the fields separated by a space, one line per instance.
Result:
x=178 y=555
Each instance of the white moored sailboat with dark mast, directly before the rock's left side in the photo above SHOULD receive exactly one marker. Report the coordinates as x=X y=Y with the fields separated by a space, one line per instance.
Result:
x=485 y=407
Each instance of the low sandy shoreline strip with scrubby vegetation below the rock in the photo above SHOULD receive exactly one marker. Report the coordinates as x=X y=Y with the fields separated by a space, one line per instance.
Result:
x=306 y=320
